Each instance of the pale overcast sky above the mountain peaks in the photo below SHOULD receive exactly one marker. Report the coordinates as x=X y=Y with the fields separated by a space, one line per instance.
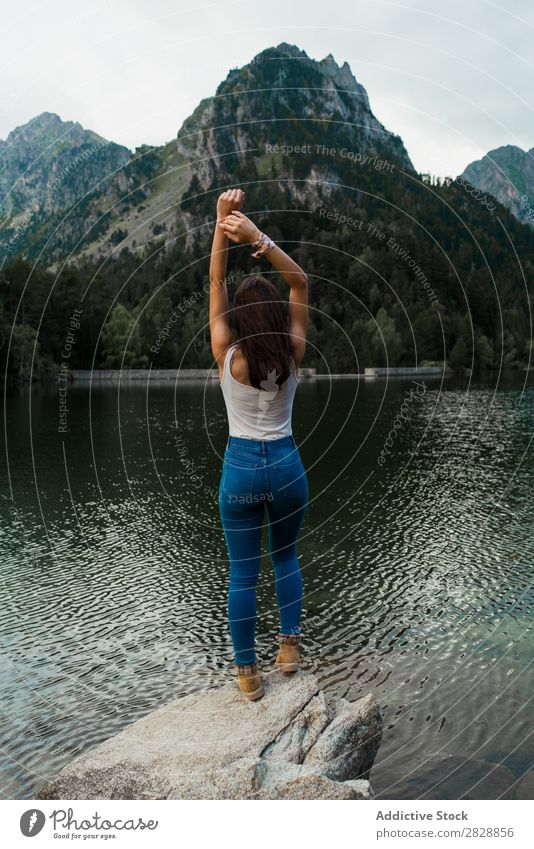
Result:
x=454 y=79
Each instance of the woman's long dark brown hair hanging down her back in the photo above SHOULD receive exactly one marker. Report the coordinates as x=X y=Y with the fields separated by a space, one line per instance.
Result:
x=262 y=325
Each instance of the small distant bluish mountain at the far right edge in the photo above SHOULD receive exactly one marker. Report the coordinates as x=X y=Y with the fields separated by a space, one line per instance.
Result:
x=507 y=173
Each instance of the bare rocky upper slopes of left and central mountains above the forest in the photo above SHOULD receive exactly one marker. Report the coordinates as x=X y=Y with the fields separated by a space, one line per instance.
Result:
x=65 y=190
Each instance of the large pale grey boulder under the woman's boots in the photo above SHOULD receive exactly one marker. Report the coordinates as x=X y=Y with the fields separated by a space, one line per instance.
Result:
x=217 y=745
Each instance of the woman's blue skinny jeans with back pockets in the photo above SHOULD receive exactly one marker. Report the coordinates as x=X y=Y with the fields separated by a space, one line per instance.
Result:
x=258 y=474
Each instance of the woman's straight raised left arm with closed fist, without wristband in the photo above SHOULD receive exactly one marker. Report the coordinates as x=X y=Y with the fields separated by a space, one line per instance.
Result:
x=220 y=333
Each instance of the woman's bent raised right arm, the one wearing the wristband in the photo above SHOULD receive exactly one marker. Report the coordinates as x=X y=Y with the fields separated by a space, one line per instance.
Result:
x=237 y=227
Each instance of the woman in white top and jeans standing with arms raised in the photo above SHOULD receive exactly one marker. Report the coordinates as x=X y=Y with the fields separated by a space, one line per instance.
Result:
x=258 y=369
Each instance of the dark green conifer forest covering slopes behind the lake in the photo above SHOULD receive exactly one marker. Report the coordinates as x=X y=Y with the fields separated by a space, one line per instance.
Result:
x=403 y=270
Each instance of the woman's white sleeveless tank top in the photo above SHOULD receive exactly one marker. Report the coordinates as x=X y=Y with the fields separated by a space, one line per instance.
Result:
x=258 y=413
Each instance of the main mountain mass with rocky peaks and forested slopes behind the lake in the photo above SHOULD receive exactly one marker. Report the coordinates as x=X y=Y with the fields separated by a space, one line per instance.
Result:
x=403 y=267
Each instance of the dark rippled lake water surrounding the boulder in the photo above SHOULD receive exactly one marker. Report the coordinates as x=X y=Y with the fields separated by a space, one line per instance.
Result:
x=416 y=554
